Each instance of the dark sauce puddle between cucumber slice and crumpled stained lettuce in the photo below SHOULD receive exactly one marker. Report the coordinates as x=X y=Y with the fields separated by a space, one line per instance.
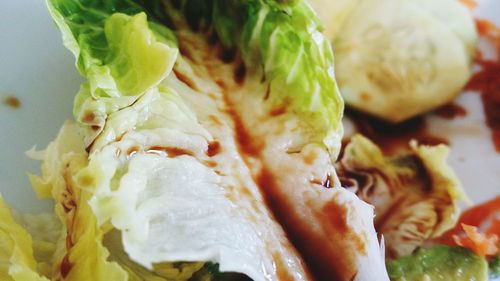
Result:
x=393 y=138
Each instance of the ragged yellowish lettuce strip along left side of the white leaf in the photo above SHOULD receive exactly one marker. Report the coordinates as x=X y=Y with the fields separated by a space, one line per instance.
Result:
x=80 y=254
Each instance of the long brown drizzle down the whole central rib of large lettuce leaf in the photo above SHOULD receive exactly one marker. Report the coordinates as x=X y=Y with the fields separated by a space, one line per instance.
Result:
x=322 y=260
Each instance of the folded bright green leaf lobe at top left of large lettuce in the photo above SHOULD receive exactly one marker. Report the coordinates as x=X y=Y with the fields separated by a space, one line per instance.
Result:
x=121 y=54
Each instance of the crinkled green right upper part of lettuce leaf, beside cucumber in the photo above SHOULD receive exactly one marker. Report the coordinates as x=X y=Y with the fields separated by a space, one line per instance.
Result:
x=280 y=41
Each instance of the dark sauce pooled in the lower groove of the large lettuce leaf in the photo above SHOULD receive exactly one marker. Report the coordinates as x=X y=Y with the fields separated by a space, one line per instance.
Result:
x=318 y=256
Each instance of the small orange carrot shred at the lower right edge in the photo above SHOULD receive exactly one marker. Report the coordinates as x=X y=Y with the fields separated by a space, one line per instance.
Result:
x=481 y=244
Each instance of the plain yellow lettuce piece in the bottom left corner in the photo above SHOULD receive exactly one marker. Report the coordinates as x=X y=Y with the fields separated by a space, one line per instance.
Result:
x=17 y=262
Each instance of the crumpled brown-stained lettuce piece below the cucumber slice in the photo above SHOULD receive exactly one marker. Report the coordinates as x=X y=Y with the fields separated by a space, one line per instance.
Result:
x=415 y=195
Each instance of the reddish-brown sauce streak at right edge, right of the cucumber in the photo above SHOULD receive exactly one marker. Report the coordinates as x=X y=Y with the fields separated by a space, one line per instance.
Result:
x=487 y=80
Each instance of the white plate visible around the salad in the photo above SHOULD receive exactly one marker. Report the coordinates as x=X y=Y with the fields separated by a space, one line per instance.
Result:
x=35 y=67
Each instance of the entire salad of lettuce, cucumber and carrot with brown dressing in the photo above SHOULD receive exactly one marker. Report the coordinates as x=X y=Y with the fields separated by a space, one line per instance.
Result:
x=207 y=144
